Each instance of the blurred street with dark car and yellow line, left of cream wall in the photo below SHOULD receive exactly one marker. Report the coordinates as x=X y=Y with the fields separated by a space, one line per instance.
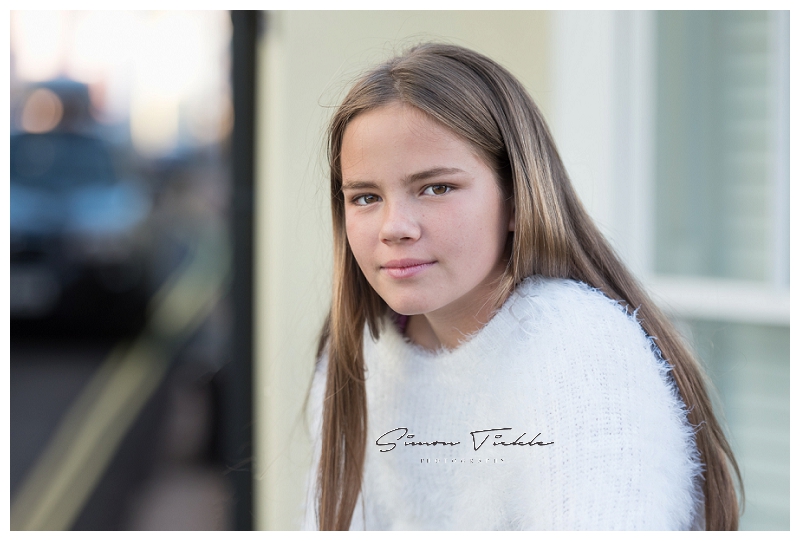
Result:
x=129 y=393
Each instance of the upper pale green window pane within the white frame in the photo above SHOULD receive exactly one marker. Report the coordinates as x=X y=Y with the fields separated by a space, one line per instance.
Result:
x=714 y=144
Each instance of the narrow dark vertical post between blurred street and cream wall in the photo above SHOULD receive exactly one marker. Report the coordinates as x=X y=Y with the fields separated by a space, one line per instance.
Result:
x=237 y=415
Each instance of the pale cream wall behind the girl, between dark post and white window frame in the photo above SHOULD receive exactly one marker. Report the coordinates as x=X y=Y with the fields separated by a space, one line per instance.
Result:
x=306 y=60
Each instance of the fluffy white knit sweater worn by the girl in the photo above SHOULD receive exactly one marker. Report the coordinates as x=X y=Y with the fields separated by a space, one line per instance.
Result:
x=558 y=363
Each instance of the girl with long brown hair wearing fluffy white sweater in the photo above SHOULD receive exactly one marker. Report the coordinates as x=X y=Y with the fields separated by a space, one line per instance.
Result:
x=488 y=362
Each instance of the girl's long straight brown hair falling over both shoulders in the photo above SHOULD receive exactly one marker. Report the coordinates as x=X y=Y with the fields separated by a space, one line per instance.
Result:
x=554 y=236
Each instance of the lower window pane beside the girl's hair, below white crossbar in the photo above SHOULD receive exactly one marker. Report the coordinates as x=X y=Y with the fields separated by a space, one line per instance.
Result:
x=749 y=365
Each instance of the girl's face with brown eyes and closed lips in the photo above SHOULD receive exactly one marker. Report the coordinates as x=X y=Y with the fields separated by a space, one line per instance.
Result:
x=425 y=216
